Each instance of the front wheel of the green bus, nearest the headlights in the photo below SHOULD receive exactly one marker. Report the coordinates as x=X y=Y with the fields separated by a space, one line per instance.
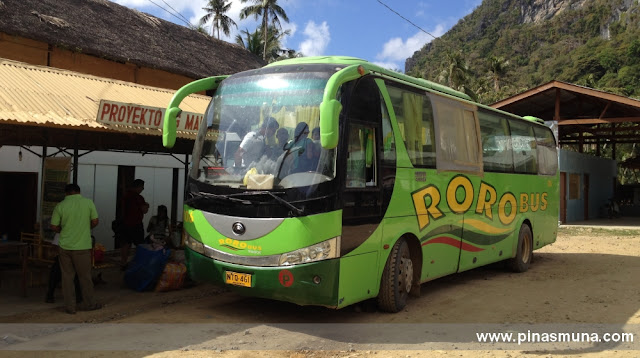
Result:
x=397 y=279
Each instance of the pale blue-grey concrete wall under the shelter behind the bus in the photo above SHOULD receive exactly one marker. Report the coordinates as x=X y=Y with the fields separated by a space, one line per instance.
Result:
x=602 y=173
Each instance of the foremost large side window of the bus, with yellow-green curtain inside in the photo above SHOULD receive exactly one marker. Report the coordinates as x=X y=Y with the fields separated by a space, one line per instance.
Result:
x=414 y=115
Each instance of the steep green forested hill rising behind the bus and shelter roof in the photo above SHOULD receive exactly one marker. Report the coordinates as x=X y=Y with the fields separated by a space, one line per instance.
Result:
x=507 y=46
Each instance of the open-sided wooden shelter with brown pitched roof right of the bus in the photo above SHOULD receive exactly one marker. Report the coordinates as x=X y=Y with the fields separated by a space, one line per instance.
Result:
x=587 y=120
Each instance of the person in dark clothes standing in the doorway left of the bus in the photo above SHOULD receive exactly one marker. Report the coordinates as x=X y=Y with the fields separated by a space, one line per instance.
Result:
x=134 y=209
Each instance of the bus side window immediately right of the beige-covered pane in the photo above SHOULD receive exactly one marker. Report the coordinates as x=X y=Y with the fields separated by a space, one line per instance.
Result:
x=497 y=155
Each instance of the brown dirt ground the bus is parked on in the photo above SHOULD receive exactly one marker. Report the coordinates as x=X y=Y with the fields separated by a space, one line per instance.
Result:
x=589 y=277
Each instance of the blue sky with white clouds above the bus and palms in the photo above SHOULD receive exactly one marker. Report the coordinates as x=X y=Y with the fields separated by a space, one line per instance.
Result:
x=360 y=28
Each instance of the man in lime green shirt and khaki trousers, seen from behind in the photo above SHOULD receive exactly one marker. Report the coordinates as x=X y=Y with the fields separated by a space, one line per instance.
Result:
x=73 y=218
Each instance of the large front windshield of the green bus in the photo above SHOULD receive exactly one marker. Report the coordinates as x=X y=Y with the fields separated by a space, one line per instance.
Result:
x=262 y=132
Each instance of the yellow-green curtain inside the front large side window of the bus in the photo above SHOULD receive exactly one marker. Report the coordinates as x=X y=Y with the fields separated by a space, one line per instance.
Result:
x=412 y=108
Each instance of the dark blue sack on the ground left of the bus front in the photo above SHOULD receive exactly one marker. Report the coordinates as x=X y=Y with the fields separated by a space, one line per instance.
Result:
x=146 y=267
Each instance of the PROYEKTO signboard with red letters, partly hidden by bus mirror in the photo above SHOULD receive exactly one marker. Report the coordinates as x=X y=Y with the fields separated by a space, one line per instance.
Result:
x=138 y=116
